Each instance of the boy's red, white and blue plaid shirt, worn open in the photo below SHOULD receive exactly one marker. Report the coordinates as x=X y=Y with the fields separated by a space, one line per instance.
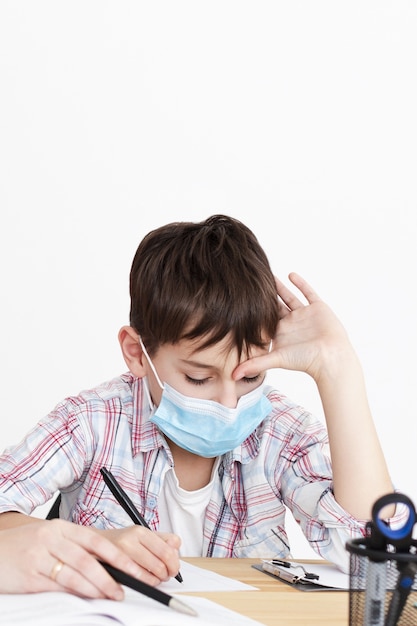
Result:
x=284 y=463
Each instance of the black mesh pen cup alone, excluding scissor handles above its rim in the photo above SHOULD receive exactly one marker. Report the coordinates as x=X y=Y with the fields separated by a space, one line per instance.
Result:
x=383 y=586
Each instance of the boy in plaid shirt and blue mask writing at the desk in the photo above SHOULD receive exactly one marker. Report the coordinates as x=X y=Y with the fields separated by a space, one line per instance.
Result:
x=204 y=448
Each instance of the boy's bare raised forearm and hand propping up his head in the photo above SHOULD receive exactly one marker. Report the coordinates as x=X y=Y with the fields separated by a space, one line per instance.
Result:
x=311 y=339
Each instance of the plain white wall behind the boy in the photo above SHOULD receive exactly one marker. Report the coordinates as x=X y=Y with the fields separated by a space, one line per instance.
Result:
x=299 y=118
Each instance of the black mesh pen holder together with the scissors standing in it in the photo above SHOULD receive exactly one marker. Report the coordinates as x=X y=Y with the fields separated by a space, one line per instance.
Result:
x=383 y=571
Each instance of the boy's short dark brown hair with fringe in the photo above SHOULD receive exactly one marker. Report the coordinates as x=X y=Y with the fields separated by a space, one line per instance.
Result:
x=203 y=279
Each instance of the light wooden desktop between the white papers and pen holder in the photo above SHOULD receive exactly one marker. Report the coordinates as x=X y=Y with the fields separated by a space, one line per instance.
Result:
x=276 y=603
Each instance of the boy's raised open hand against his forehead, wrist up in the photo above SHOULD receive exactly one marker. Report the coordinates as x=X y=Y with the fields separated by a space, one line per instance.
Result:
x=309 y=335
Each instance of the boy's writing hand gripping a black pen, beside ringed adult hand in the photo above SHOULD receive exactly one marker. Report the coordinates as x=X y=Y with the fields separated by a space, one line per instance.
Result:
x=156 y=553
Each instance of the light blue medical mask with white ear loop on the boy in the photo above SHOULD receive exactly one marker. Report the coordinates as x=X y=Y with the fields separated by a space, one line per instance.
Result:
x=204 y=427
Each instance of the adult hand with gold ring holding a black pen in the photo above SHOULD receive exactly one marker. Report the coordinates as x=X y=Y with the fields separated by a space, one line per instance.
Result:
x=58 y=555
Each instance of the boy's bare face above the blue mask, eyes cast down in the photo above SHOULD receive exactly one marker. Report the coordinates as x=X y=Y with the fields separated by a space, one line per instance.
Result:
x=205 y=373
